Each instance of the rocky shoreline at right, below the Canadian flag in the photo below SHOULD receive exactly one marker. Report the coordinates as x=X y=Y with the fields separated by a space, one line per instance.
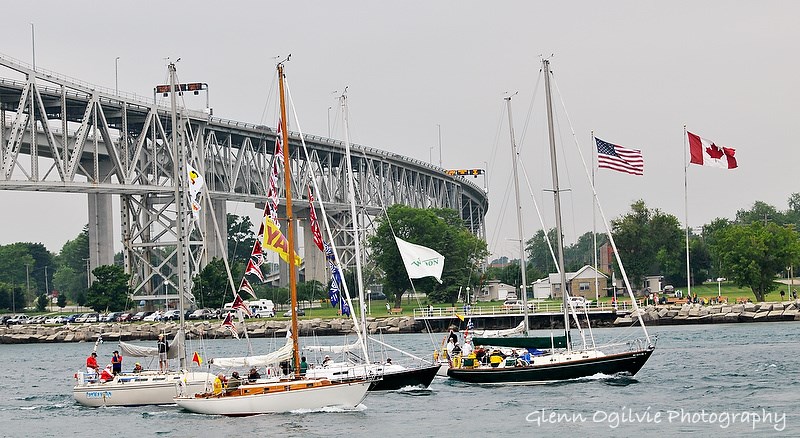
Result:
x=716 y=313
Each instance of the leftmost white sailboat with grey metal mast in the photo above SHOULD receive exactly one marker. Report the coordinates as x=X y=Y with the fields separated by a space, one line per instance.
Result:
x=153 y=387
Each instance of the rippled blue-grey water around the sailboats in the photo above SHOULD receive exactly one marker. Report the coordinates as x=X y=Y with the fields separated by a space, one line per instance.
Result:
x=714 y=380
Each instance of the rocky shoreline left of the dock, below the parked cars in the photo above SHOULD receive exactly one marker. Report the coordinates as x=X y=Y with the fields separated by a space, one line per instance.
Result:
x=261 y=328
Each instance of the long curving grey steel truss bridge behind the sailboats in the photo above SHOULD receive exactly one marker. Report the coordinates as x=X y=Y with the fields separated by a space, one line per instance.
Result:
x=60 y=134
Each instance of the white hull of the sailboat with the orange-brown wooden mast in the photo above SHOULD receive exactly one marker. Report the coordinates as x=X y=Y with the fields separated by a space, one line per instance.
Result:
x=345 y=394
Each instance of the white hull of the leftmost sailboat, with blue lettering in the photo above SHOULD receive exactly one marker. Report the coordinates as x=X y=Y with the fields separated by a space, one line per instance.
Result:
x=141 y=389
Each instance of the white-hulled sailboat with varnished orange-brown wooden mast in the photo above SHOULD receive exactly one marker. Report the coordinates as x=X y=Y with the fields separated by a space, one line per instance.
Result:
x=293 y=392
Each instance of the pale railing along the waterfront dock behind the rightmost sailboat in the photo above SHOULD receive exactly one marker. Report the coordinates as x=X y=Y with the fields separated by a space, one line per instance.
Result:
x=513 y=310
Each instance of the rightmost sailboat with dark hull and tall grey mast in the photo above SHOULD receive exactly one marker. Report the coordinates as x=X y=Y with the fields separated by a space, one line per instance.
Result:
x=562 y=364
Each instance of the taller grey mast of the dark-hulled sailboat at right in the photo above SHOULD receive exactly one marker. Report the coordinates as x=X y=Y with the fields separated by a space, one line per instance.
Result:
x=556 y=197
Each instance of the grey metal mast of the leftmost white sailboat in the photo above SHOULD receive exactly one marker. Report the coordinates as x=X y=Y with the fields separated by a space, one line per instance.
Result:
x=179 y=172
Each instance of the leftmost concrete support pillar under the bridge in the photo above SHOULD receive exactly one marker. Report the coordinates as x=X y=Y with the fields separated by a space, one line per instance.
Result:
x=101 y=226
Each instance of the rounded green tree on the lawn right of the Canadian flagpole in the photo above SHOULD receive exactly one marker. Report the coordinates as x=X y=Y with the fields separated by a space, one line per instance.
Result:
x=752 y=255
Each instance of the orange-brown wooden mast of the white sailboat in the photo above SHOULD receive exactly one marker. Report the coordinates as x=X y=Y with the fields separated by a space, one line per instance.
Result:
x=287 y=175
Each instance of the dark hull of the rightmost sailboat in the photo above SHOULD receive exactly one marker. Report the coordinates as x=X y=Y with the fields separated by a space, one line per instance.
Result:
x=627 y=362
